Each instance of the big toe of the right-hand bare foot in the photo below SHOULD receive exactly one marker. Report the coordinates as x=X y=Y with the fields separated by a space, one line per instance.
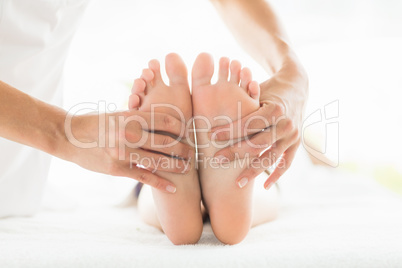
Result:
x=203 y=69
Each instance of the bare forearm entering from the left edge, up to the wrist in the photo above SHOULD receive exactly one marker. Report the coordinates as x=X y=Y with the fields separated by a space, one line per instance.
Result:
x=29 y=121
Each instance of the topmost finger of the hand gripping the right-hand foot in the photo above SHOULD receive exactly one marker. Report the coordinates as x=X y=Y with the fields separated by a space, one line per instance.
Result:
x=268 y=114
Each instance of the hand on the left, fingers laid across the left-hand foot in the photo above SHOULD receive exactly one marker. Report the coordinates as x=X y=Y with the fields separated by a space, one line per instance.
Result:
x=117 y=143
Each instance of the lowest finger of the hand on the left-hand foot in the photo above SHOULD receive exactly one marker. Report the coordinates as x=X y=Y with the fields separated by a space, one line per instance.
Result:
x=149 y=178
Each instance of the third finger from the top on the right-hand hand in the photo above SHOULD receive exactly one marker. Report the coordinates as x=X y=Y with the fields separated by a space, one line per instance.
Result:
x=262 y=163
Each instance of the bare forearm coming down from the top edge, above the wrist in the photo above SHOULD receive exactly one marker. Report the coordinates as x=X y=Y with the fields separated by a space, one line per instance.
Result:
x=259 y=31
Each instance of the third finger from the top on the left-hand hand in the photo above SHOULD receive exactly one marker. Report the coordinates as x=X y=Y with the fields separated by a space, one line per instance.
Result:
x=157 y=162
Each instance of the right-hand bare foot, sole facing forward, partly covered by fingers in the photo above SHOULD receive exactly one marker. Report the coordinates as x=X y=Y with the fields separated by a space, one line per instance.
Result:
x=230 y=208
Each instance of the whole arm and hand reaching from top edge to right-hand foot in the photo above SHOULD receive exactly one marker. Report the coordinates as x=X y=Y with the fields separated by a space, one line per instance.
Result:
x=283 y=96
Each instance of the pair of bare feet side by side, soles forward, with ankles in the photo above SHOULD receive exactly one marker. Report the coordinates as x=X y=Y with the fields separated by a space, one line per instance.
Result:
x=232 y=210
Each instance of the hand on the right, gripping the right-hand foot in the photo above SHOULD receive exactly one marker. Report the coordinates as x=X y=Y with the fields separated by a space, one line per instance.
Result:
x=271 y=135
